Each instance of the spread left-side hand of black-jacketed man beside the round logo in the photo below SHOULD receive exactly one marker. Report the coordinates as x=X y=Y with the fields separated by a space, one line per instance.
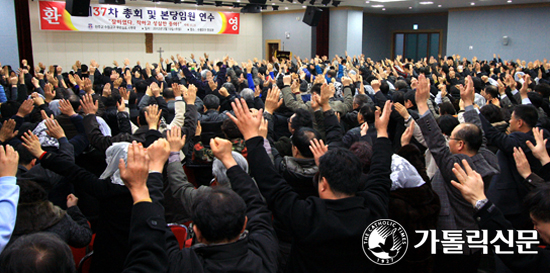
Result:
x=248 y=125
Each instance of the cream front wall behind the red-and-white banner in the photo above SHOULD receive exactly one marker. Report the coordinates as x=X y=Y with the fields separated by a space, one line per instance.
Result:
x=65 y=47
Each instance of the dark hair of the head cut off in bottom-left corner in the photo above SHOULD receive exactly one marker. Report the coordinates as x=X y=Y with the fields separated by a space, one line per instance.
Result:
x=41 y=252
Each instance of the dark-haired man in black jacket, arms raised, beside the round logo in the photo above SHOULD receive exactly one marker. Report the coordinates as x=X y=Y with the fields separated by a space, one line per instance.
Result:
x=332 y=224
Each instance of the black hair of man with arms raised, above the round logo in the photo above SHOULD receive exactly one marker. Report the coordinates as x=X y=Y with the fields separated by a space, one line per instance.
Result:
x=342 y=170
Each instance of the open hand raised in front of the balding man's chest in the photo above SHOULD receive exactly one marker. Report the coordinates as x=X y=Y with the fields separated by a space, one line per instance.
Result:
x=470 y=183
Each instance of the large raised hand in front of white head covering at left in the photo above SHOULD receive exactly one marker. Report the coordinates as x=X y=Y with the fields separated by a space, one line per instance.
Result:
x=135 y=172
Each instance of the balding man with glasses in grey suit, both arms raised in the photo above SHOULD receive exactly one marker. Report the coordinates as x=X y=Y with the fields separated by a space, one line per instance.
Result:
x=466 y=143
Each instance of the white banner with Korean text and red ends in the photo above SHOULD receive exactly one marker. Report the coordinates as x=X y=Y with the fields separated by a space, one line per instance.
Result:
x=116 y=18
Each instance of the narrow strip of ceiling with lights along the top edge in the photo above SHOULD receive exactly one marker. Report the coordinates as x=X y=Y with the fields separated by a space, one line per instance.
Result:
x=370 y=6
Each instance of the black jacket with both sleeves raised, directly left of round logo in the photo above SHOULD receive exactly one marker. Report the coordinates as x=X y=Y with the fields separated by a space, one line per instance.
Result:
x=327 y=233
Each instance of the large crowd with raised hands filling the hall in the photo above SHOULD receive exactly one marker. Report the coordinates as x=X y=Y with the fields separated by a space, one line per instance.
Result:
x=274 y=165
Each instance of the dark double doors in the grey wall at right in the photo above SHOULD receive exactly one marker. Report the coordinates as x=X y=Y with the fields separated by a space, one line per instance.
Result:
x=416 y=44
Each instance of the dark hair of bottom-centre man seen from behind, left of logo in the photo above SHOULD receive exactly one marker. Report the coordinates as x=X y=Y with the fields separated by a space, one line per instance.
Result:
x=219 y=214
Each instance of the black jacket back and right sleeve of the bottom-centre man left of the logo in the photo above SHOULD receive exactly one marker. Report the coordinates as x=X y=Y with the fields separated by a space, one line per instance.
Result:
x=255 y=251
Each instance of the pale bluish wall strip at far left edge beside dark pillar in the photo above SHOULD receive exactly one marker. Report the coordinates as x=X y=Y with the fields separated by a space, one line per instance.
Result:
x=8 y=35
